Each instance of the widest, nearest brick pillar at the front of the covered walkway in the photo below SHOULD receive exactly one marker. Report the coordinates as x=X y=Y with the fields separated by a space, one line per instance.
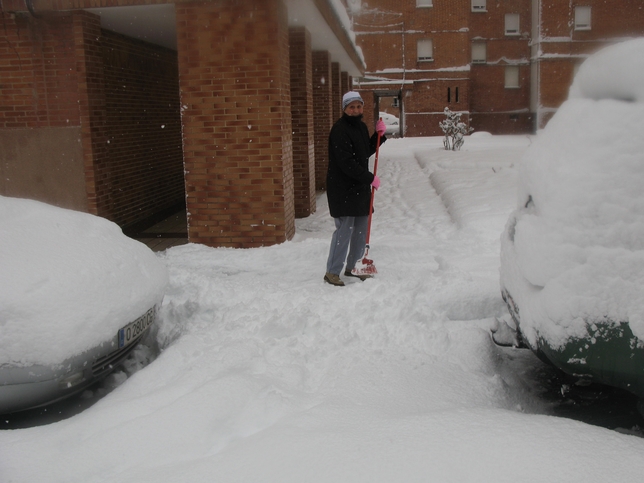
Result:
x=234 y=77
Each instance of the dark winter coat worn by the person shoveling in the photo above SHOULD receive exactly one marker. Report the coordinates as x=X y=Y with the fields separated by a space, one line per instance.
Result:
x=348 y=180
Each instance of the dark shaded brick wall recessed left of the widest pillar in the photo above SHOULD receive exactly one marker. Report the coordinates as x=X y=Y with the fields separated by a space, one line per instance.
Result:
x=142 y=120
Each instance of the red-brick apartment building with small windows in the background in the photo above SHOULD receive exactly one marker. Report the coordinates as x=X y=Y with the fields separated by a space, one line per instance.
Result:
x=506 y=65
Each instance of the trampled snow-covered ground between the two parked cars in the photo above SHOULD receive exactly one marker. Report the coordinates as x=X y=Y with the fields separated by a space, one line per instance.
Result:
x=269 y=375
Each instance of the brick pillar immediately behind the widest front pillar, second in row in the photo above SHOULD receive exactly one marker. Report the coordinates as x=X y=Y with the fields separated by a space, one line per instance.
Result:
x=303 y=121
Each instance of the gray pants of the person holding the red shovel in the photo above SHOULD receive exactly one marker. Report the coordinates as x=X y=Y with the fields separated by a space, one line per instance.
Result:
x=350 y=235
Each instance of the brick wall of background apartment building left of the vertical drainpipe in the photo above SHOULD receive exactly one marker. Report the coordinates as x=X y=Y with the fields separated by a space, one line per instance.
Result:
x=388 y=34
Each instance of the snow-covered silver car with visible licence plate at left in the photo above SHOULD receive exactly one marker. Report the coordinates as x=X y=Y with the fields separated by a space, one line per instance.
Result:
x=76 y=296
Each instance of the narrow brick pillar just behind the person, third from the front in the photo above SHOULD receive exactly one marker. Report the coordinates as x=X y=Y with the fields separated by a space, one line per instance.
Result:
x=323 y=108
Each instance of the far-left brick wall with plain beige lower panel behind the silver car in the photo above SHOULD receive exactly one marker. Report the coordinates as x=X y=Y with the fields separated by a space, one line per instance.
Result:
x=40 y=110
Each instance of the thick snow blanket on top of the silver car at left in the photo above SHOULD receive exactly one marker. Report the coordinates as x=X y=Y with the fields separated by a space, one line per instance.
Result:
x=68 y=281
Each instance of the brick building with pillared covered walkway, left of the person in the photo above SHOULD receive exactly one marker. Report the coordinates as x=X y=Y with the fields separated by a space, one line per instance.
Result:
x=133 y=109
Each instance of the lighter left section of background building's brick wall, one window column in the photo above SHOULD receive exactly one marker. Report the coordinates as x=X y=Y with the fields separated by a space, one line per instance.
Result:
x=389 y=42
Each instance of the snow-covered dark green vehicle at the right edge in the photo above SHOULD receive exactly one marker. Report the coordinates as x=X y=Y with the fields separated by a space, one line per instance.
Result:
x=572 y=253
